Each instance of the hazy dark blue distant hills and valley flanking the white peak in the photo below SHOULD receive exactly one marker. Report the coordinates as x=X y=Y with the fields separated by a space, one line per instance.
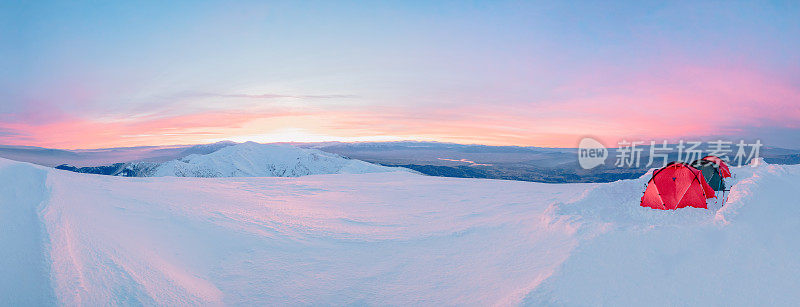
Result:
x=551 y=165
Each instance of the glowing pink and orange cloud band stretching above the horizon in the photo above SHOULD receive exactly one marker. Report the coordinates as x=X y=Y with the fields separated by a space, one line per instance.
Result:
x=678 y=102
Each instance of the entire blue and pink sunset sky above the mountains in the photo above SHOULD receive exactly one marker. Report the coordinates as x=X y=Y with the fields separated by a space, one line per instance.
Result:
x=115 y=73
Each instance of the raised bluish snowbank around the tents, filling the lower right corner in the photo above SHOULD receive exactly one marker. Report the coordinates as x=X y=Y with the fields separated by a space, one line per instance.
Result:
x=745 y=253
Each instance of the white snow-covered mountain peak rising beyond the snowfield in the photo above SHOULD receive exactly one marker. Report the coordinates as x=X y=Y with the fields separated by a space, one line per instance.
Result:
x=259 y=160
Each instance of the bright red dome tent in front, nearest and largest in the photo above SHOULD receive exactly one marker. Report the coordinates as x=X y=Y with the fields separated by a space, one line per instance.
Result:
x=677 y=185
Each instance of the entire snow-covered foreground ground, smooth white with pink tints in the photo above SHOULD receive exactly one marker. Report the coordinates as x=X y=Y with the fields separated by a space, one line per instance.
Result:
x=393 y=238
